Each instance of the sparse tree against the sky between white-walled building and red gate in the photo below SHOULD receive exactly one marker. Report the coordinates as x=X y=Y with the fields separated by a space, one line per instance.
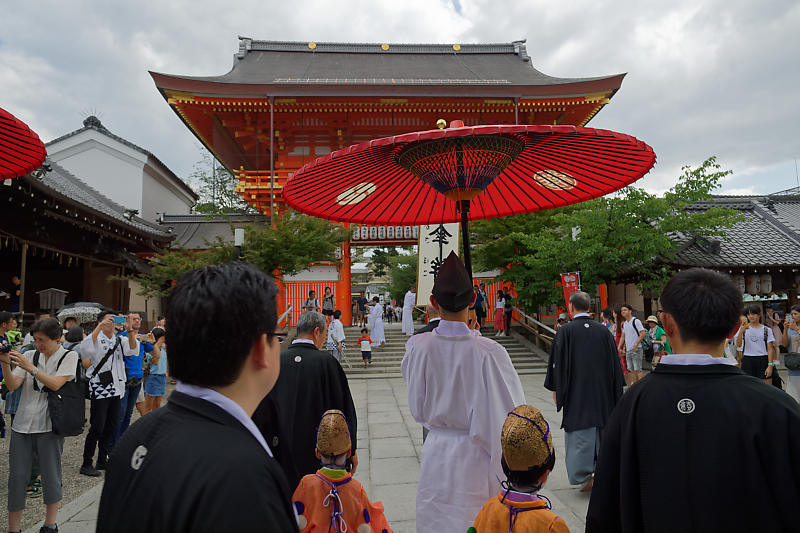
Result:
x=216 y=187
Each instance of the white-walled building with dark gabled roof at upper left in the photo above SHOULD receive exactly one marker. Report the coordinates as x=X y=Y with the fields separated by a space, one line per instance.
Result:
x=122 y=171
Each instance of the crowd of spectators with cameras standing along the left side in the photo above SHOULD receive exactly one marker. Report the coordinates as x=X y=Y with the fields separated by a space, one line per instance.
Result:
x=112 y=361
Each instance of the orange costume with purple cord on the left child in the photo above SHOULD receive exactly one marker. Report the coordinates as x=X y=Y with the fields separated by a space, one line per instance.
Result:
x=330 y=502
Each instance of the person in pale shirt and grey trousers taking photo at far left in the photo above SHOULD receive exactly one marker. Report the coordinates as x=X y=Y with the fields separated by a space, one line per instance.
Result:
x=32 y=428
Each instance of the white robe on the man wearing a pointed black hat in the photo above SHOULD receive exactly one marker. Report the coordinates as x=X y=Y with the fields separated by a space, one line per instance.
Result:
x=461 y=386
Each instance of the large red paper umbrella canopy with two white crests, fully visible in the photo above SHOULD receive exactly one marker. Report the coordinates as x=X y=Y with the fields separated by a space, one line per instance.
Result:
x=418 y=178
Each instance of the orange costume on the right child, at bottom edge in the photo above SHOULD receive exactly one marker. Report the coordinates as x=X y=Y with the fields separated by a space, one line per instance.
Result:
x=512 y=514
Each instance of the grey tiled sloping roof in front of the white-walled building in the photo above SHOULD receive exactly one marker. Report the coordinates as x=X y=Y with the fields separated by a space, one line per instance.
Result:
x=73 y=189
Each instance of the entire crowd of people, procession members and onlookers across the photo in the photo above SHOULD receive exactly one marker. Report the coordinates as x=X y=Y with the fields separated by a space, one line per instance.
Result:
x=256 y=435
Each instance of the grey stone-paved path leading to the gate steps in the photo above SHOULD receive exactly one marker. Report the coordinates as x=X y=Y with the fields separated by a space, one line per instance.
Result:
x=389 y=444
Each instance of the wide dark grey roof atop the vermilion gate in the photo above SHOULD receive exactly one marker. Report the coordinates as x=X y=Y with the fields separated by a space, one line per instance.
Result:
x=304 y=63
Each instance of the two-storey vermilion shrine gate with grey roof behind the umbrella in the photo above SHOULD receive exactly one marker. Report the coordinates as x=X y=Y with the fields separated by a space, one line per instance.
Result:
x=285 y=103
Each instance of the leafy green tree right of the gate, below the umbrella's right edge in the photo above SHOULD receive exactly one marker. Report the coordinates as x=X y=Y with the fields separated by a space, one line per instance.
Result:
x=630 y=236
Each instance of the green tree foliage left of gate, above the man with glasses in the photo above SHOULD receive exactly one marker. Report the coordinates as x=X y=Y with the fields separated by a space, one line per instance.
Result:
x=296 y=242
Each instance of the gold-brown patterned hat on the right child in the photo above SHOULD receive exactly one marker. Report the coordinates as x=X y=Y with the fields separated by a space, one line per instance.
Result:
x=526 y=439
